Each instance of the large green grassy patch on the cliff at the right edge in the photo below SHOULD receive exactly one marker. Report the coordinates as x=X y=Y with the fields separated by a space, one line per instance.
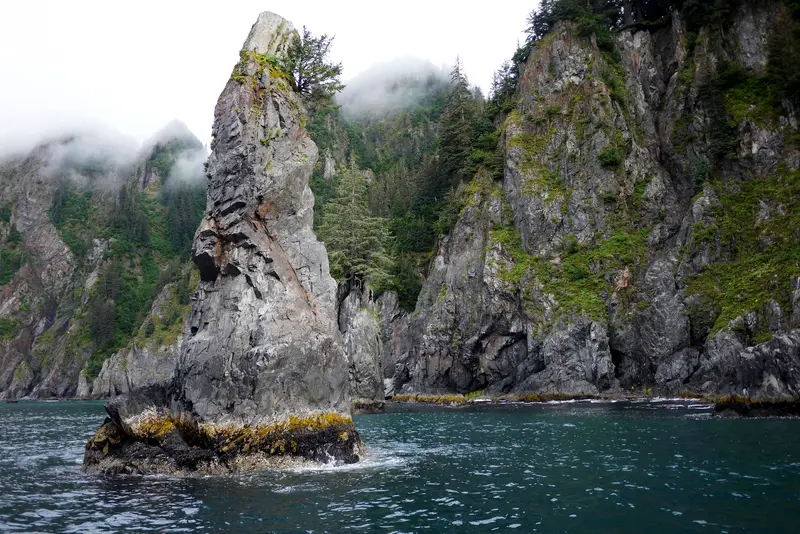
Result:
x=762 y=255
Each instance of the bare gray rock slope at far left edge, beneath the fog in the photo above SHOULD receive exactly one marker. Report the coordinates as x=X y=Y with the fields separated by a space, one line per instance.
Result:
x=27 y=365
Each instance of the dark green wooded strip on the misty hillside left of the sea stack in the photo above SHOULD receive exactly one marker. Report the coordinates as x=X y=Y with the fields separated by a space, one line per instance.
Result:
x=147 y=235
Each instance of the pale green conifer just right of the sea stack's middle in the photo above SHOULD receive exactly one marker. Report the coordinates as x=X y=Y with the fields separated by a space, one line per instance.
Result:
x=357 y=243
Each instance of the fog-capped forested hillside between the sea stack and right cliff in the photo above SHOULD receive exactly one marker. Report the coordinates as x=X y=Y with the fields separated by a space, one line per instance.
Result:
x=415 y=137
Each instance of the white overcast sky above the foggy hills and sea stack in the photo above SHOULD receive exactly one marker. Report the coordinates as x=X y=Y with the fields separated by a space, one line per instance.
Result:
x=136 y=65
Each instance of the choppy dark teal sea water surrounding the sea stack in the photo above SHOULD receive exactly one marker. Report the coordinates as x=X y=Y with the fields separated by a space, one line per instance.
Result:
x=579 y=467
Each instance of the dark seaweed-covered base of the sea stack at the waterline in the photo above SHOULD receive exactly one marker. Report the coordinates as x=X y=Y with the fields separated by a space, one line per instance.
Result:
x=179 y=446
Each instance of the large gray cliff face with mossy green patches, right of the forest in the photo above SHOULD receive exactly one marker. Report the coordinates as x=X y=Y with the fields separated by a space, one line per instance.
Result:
x=644 y=233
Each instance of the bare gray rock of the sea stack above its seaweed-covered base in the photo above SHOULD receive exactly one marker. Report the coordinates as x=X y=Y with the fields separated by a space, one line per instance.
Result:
x=263 y=342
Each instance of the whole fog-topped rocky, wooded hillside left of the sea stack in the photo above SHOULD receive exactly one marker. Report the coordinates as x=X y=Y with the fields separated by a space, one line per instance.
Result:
x=118 y=227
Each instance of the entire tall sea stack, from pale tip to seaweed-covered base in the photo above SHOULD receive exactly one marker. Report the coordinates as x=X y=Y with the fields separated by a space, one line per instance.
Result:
x=262 y=376
